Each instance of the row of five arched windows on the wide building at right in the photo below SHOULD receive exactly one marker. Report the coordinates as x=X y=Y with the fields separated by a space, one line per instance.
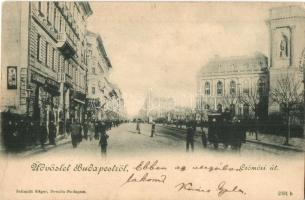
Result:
x=232 y=88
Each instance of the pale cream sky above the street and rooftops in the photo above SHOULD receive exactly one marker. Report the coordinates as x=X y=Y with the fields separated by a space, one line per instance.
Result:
x=162 y=46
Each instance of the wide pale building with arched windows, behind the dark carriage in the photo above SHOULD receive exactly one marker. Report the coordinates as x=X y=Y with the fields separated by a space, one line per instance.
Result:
x=223 y=81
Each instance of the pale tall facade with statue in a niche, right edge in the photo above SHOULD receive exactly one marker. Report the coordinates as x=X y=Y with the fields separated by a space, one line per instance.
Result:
x=287 y=45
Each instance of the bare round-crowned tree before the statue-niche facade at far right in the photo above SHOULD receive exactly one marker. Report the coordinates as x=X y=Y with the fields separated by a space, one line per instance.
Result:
x=288 y=94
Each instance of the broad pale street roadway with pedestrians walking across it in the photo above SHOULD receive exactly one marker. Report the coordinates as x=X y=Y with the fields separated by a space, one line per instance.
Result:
x=125 y=141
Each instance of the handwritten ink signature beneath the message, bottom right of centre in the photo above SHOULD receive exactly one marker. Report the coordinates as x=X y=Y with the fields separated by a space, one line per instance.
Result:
x=221 y=189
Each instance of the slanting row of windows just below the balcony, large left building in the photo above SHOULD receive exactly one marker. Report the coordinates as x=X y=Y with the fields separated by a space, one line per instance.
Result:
x=52 y=59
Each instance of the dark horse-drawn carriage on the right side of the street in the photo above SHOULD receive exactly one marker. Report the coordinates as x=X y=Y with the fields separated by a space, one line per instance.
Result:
x=223 y=128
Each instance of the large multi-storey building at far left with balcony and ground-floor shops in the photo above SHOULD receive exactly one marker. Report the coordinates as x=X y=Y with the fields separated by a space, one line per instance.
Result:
x=44 y=58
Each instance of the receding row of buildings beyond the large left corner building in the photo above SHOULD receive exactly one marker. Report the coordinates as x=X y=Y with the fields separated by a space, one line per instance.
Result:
x=104 y=99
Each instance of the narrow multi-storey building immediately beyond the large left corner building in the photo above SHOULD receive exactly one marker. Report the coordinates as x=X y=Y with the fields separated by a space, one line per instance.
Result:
x=99 y=68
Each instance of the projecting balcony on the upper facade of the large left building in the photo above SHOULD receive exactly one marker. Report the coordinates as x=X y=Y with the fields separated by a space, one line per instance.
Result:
x=66 y=45
